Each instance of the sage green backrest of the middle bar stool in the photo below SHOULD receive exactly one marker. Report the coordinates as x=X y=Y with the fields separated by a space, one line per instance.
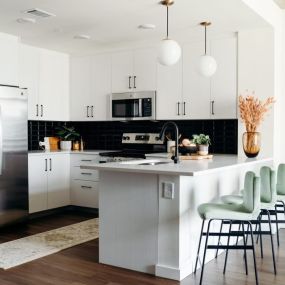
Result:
x=267 y=185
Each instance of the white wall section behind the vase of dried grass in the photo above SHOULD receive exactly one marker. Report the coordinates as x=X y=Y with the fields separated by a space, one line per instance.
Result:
x=256 y=73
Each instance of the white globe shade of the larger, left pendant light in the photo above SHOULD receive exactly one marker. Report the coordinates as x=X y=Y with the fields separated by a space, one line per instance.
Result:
x=169 y=52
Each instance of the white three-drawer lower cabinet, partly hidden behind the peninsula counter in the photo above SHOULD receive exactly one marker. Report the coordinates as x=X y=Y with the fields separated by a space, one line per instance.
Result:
x=84 y=190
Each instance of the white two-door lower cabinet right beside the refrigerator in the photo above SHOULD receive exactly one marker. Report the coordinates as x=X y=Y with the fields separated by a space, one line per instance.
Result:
x=49 y=181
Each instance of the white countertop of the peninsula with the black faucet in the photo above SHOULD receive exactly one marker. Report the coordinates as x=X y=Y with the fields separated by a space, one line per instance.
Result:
x=185 y=167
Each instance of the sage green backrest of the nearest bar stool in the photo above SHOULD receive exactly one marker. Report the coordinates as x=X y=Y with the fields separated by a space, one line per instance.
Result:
x=251 y=197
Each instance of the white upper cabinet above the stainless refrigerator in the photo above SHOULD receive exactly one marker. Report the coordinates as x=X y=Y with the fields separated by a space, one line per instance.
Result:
x=9 y=60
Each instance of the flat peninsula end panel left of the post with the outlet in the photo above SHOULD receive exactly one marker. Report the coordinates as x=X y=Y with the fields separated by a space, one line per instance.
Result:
x=128 y=211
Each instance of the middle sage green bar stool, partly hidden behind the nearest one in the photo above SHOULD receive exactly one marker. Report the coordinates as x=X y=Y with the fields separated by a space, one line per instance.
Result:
x=268 y=198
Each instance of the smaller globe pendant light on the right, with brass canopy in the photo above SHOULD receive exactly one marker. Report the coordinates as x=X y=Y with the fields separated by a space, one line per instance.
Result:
x=207 y=64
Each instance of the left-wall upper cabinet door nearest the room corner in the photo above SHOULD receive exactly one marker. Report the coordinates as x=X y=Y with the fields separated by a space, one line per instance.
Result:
x=54 y=86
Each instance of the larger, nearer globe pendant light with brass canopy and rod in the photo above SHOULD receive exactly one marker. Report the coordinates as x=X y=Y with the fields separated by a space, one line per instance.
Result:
x=169 y=50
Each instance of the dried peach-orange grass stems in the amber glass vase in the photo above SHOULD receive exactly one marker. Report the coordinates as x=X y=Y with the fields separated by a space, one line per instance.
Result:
x=252 y=110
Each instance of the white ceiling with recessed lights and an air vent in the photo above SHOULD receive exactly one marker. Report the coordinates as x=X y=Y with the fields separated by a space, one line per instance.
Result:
x=112 y=23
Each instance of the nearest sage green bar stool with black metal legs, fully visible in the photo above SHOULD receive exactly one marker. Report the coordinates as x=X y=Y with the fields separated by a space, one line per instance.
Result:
x=242 y=213
